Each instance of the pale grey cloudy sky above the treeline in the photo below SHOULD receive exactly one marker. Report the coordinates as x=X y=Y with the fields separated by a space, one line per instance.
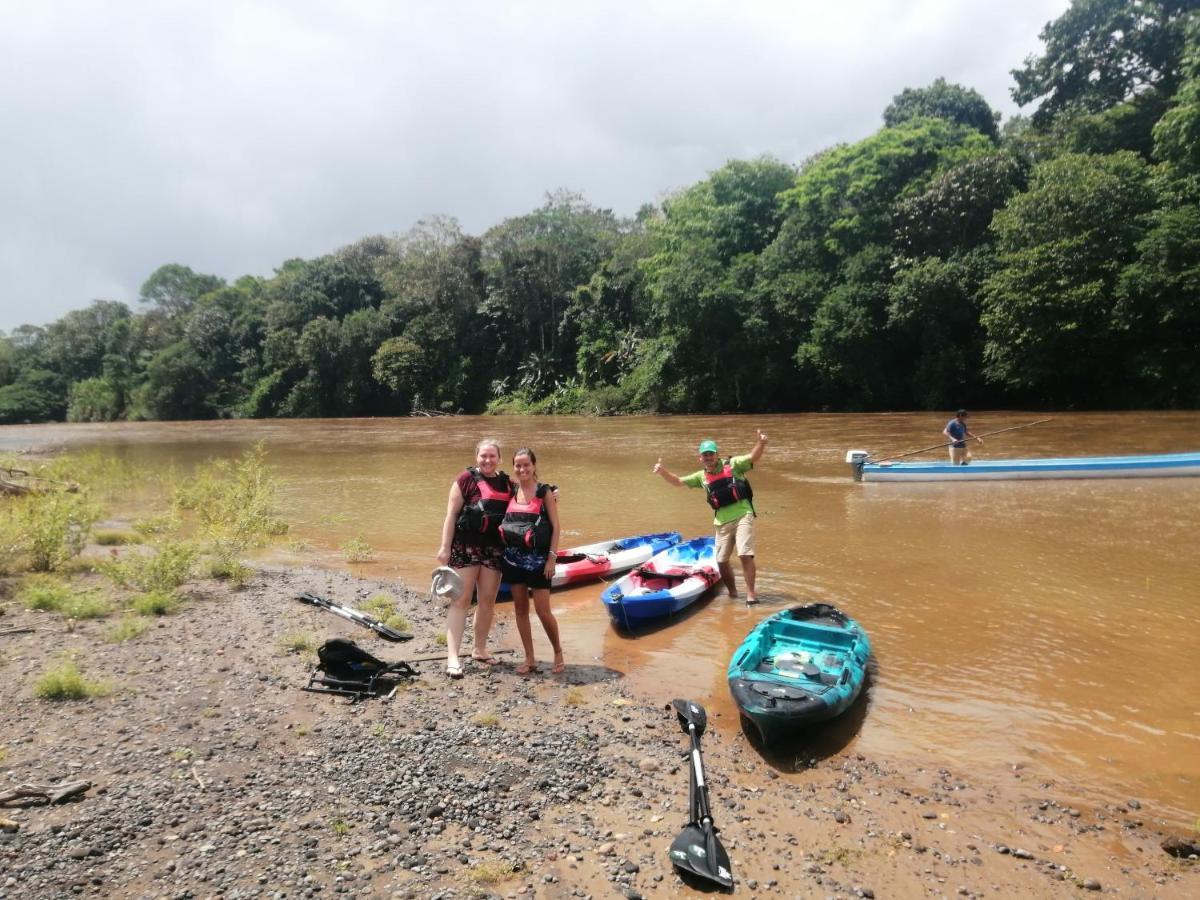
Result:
x=233 y=136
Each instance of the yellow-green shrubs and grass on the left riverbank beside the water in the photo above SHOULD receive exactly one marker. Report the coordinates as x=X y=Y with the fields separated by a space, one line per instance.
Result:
x=65 y=567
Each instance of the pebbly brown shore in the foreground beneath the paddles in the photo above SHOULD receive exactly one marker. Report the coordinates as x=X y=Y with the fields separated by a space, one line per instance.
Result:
x=213 y=775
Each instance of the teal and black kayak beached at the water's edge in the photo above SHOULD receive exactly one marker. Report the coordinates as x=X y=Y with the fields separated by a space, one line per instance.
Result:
x=799 y=668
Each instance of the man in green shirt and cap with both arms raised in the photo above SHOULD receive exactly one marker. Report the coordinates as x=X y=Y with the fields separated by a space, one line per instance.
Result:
x=729 y=494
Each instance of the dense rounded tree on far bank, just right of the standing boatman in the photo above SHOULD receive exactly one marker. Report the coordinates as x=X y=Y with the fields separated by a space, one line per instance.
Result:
x=1051 y=310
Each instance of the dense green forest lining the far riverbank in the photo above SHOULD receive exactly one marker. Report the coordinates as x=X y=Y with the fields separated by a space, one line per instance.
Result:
x=947 y=260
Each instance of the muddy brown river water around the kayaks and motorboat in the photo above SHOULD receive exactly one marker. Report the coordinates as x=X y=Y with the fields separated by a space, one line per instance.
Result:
x=1049 y=625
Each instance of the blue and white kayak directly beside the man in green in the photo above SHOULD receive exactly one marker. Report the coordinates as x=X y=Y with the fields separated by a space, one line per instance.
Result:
x=668 y=584
